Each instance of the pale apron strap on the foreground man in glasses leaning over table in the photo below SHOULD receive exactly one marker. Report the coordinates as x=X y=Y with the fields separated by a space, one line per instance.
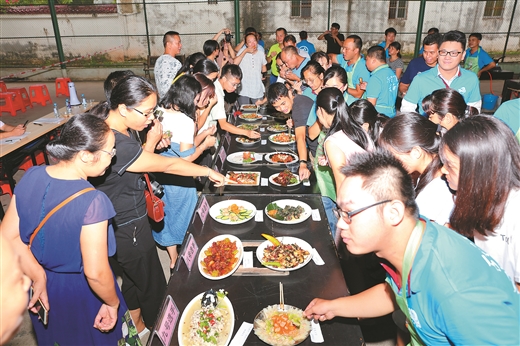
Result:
x=409 y=255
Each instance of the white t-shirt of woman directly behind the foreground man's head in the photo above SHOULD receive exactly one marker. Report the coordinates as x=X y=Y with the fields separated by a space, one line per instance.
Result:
x=435 y=201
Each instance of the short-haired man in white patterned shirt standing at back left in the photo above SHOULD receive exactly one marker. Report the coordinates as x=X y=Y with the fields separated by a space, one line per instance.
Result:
x=166 y=66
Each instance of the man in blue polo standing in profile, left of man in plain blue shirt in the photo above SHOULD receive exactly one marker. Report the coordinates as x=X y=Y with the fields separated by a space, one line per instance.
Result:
x=355 y=66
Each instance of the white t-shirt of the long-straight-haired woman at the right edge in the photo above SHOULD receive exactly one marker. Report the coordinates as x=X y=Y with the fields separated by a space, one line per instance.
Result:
x=504 y=244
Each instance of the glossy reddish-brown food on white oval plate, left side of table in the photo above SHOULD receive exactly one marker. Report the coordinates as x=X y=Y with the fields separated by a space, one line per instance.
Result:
x=221 y=257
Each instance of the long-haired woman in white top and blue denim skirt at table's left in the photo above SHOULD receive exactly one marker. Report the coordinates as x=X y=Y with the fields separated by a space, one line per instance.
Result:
x=180 y=194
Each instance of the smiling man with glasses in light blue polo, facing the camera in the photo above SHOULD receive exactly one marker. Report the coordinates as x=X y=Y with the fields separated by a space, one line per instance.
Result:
x=448 y=74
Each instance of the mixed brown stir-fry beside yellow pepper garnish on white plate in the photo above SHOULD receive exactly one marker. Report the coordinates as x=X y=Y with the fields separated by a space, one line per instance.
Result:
x=284 y=256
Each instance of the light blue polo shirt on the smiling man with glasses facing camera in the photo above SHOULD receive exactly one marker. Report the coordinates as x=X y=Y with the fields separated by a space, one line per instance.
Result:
x=465 y=82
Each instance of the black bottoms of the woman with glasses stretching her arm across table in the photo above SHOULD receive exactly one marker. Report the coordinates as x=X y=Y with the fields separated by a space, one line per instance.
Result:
x=144 y=283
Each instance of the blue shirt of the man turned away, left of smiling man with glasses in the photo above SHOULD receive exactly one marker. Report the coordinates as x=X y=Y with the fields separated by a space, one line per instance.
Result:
x=383 y=86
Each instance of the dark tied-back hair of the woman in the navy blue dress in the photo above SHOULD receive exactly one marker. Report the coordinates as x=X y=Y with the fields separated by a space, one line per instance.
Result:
x=83 y=132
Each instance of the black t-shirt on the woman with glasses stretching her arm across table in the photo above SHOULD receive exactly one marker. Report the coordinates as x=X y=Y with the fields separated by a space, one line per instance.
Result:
x=125 y=189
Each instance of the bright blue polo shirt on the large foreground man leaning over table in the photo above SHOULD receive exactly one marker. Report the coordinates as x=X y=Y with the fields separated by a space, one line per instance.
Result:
x=459 y=295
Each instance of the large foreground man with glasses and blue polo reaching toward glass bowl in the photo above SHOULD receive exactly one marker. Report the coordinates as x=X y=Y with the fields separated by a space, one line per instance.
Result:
x=450 y=291
